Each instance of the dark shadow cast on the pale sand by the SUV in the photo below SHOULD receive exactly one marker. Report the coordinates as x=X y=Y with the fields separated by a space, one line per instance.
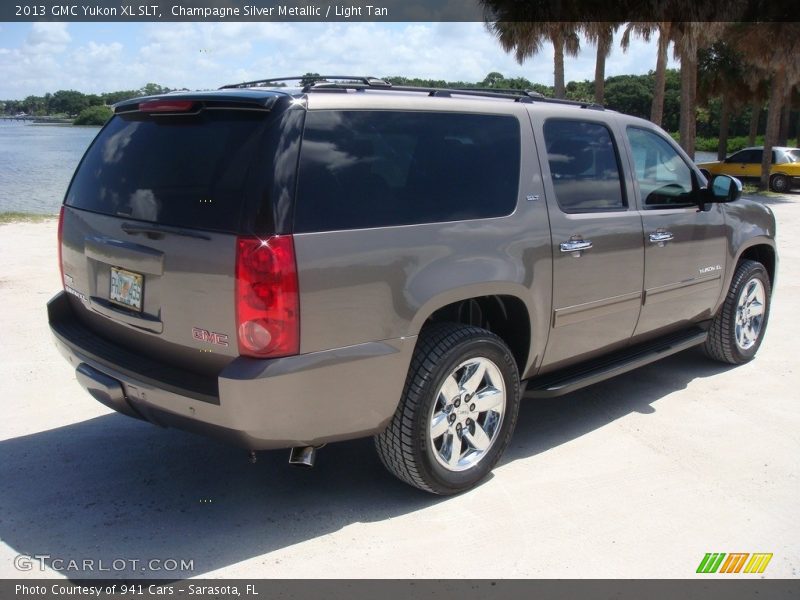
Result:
x=115 y=488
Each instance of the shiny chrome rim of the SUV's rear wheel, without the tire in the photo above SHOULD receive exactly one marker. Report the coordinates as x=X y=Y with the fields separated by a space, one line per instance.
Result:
x=467 y=414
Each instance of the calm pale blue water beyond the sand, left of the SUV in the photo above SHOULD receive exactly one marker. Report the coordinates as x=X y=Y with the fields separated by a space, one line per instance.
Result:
x=36 y=164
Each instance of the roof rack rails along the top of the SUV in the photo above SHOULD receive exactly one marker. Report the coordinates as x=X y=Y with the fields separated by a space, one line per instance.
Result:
x=332 y=83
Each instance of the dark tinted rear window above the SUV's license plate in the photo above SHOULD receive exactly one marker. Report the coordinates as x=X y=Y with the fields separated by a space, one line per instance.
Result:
x=191 y=171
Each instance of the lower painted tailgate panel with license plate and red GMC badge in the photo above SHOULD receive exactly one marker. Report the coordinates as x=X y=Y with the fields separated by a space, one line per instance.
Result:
x=185 y=314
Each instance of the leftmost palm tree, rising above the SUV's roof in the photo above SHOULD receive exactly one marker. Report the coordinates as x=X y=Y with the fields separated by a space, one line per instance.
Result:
x=527 y=39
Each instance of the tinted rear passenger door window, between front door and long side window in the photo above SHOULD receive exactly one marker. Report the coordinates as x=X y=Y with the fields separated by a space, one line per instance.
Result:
x=584 y=166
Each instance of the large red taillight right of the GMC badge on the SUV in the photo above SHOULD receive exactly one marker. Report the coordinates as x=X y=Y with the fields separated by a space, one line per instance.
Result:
x=267 y=301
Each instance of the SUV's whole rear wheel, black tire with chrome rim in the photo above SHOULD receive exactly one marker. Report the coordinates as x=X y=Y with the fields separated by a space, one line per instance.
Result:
x=457 y=413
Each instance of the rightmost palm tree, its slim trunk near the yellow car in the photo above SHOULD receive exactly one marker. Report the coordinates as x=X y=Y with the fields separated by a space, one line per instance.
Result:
x=773 y=48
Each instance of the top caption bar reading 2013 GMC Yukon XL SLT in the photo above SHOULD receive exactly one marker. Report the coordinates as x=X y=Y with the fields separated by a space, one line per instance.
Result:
x=398 y=10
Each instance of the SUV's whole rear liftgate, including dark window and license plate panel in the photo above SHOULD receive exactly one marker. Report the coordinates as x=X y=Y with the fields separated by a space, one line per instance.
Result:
x=151 y=220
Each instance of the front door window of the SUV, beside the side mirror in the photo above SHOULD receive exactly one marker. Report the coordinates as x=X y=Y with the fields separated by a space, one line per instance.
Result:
x=665 y=180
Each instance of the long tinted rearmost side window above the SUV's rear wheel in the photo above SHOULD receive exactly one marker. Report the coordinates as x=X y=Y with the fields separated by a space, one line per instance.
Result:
x=380 y=168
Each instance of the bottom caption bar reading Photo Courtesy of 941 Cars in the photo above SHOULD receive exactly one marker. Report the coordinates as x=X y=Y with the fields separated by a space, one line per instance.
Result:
x=705 y=588
